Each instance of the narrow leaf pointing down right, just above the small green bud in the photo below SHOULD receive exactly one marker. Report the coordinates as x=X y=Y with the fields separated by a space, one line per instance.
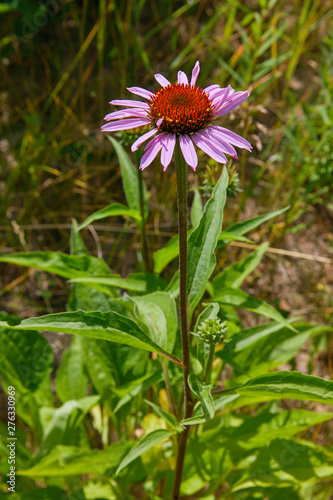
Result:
x=239 y=298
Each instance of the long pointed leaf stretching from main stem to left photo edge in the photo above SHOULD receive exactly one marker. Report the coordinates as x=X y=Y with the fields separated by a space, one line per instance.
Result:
x=109 y=326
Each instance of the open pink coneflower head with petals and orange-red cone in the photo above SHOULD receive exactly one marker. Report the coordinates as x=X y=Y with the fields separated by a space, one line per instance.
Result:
x=184 y=111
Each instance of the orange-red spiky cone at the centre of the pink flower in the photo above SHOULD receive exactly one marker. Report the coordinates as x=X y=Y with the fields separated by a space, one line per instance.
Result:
x=183 y=108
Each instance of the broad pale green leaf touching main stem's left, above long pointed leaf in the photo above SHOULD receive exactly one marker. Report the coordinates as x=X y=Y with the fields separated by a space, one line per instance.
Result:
x=159 y=313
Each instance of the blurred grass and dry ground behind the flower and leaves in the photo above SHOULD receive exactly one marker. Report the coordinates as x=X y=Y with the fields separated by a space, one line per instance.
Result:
x=62 y=61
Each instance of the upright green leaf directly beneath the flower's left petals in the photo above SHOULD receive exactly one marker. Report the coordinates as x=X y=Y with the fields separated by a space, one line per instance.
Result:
x=130 y=180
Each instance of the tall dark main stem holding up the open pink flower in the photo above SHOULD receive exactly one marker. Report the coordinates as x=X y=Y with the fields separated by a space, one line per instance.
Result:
x=181 y=173
